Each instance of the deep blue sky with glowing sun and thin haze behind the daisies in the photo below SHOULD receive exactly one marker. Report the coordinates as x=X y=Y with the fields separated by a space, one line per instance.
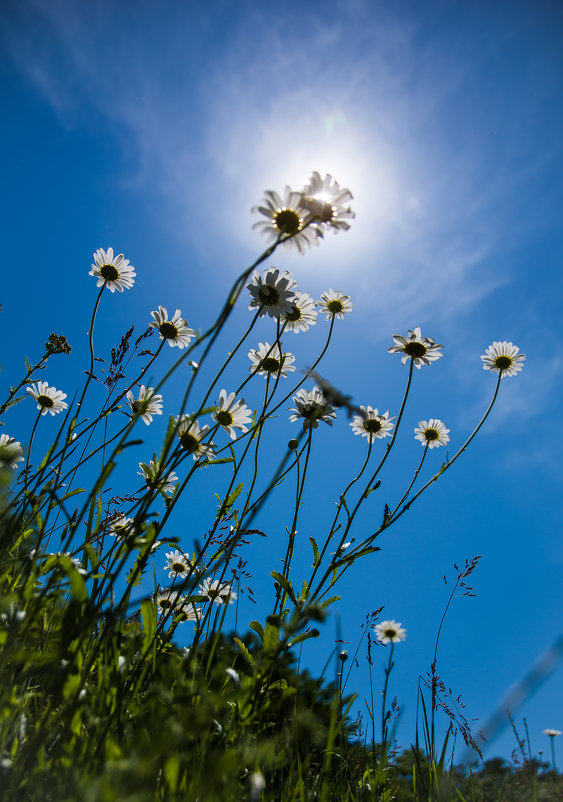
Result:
x=155 y=127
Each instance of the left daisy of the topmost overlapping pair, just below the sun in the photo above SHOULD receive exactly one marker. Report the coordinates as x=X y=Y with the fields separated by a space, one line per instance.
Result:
x=287 y=217
